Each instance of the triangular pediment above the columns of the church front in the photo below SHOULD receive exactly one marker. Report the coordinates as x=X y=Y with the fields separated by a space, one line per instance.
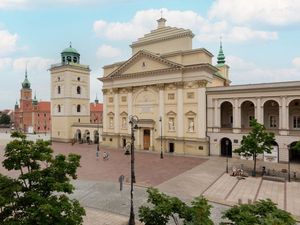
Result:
x=144 y=61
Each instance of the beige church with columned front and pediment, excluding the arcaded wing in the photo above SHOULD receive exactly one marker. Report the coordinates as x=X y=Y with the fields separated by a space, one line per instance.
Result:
x=164 y=85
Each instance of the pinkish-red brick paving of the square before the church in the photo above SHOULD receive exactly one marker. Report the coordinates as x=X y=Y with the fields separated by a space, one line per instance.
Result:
x=150 y=169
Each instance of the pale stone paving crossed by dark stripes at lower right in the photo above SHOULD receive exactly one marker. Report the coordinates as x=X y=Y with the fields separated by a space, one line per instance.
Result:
x=229 y=190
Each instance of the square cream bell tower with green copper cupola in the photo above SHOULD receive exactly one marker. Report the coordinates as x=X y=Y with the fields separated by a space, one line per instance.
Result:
x=70 y=95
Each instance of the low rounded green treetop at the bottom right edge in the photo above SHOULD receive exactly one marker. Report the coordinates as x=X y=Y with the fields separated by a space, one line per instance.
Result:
x=263 y=212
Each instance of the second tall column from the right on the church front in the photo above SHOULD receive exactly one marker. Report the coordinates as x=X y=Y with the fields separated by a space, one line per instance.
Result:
x=180 y=116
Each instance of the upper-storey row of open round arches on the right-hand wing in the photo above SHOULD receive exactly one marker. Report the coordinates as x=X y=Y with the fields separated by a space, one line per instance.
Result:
x=281 y=116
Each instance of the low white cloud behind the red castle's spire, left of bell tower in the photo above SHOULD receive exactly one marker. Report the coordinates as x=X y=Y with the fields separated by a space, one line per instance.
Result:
x=33 y=63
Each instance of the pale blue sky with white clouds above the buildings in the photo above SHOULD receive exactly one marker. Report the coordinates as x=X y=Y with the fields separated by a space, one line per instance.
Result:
x=260 y=37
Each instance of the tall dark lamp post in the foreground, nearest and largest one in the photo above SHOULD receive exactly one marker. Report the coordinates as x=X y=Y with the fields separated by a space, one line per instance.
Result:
x=133 y=121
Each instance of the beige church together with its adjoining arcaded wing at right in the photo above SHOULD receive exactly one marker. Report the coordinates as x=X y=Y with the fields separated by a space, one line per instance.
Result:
x=187 y=104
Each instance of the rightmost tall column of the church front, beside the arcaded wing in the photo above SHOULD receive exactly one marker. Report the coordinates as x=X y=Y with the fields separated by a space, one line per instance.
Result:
x=201 y=114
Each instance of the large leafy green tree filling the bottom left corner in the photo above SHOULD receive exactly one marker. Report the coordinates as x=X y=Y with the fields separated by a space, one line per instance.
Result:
x=38 y=194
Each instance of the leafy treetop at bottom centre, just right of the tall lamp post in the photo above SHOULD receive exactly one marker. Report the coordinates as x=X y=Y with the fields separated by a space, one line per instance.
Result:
x=165 y=207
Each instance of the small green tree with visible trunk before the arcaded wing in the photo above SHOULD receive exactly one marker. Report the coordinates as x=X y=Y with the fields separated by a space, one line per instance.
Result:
x=256 y=142
